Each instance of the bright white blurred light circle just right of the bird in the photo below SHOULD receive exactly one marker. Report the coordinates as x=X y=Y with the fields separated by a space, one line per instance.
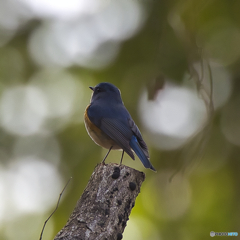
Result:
x=176 y=114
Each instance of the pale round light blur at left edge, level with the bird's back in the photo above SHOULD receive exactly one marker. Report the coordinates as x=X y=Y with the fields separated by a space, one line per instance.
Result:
x=23 y=110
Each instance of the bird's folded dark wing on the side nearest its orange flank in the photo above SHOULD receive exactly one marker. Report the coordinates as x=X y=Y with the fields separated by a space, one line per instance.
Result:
x=119 y=132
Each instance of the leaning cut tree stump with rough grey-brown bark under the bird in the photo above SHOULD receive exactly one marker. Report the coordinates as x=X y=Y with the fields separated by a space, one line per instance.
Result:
x=105 y=205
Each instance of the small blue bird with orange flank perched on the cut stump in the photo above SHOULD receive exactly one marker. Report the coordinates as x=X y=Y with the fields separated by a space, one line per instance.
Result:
x=110 y=125
